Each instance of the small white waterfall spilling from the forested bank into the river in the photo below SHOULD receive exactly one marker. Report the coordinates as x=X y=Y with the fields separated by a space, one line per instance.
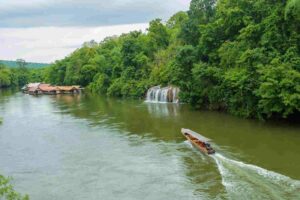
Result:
x=163 y=95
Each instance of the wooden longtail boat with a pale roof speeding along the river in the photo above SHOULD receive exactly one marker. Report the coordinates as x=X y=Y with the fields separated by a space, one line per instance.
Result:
x=199 y=141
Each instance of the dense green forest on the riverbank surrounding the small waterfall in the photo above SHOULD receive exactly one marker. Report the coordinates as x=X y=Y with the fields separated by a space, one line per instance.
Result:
x=238 y=56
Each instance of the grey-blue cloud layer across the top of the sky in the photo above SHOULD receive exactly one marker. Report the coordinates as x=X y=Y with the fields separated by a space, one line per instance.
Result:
x=29 y=13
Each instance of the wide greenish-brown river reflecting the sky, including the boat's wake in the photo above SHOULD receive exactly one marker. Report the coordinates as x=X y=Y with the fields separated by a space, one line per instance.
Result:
x=92 y=147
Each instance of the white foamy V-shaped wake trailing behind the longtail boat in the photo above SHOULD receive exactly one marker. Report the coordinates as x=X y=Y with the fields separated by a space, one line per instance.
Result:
x=246 y=181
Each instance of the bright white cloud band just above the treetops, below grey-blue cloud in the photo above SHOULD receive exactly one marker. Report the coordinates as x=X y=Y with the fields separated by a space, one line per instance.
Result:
x=47 y=44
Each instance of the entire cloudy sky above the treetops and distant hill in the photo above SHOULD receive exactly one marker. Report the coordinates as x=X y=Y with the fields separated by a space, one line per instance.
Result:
x=47 y=30
